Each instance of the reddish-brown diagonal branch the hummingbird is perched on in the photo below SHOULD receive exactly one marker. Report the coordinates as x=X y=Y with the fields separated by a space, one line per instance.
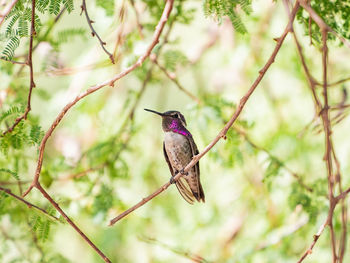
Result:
x=222 y=133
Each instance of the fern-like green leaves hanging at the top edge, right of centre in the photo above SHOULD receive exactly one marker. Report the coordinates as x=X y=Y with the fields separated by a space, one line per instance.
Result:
x=228 y=8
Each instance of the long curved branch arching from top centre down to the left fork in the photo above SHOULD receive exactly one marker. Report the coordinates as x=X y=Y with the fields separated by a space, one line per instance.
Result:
x=110 y=82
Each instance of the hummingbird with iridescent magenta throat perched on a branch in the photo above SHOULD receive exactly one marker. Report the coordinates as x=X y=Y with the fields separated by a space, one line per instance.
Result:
x=179 y=148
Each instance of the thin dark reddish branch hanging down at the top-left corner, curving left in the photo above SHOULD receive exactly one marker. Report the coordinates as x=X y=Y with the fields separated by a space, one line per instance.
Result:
x=31 y=80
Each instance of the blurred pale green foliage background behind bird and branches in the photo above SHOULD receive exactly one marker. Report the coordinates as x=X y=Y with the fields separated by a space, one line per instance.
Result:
x=106 y=154
